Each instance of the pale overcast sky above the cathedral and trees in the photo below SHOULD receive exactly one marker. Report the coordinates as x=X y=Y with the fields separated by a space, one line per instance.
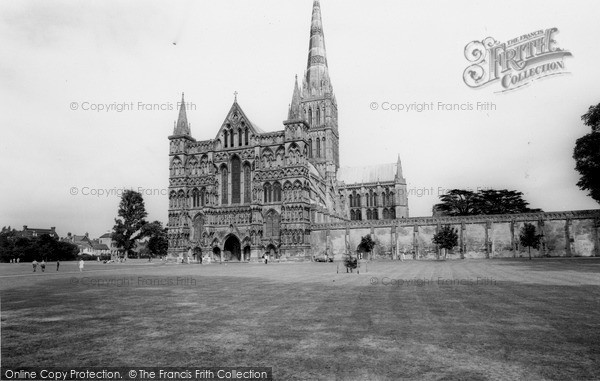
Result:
x=89 y=94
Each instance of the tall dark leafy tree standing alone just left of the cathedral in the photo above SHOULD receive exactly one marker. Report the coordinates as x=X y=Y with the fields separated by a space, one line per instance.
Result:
x=130 y=221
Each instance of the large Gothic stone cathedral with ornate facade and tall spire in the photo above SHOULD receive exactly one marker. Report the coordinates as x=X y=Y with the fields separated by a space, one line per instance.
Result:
x=248 y=193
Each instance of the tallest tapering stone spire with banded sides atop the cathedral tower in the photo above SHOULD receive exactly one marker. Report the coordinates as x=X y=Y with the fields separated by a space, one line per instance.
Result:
x=316 y=79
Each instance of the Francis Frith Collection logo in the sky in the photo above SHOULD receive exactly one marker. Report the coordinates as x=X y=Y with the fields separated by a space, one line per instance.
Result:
x=515 y=63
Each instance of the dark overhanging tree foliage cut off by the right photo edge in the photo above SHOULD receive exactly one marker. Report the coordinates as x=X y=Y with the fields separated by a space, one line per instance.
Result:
x=587 y=154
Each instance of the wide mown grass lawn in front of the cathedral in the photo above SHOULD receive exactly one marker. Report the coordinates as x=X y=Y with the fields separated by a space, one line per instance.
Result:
x=527 y=320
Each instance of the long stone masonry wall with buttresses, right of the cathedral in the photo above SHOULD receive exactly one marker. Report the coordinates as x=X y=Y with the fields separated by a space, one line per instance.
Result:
x=570 y=233
